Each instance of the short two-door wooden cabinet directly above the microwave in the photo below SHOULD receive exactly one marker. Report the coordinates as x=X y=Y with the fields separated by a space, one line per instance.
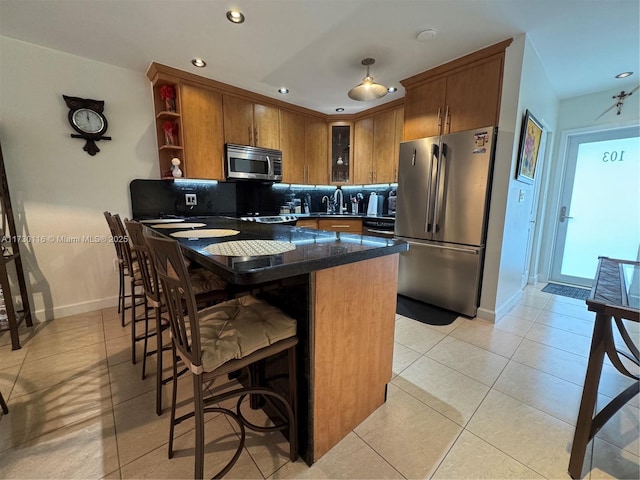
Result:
x=248 y=123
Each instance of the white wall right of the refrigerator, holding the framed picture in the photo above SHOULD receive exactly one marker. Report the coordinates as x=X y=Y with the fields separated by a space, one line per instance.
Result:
x=525 y=86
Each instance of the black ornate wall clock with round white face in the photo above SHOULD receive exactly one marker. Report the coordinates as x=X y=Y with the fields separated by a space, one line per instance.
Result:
x=86 y=118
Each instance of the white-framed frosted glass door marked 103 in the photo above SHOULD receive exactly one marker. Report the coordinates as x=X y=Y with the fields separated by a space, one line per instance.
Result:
x=599 y=213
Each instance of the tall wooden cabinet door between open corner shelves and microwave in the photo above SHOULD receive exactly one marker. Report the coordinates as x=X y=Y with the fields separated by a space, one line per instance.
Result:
x=202 y=132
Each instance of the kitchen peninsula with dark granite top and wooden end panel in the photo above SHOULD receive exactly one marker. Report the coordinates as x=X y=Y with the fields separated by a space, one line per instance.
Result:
x=341 y=288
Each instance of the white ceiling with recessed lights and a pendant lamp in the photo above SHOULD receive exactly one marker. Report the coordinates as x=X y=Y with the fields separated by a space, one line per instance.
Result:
x=314 y=47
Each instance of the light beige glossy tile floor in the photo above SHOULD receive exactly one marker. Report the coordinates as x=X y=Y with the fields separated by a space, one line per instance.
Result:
x=467 y=400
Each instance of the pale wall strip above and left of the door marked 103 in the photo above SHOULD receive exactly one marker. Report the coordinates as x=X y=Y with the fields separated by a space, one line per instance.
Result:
x=576 y=115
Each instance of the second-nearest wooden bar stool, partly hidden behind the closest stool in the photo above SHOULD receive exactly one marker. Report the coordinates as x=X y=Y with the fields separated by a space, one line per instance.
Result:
x=208 y=288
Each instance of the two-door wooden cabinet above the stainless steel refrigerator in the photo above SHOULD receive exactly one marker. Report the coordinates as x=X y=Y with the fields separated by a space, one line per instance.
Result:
x=461 y=95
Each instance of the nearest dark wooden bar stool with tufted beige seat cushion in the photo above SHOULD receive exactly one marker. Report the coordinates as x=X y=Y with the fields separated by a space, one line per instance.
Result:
x=219 y=340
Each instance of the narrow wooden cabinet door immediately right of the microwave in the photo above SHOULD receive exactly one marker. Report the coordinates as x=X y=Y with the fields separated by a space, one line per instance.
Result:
x=292 y=144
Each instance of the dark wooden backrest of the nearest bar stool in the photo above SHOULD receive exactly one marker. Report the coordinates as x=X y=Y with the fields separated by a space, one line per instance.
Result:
x=179 y=299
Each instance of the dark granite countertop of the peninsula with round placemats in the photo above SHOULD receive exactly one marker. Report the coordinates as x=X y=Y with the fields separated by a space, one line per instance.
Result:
x=314 y=250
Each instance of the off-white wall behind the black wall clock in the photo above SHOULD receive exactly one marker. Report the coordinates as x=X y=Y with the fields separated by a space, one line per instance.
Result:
x=56 y=188
